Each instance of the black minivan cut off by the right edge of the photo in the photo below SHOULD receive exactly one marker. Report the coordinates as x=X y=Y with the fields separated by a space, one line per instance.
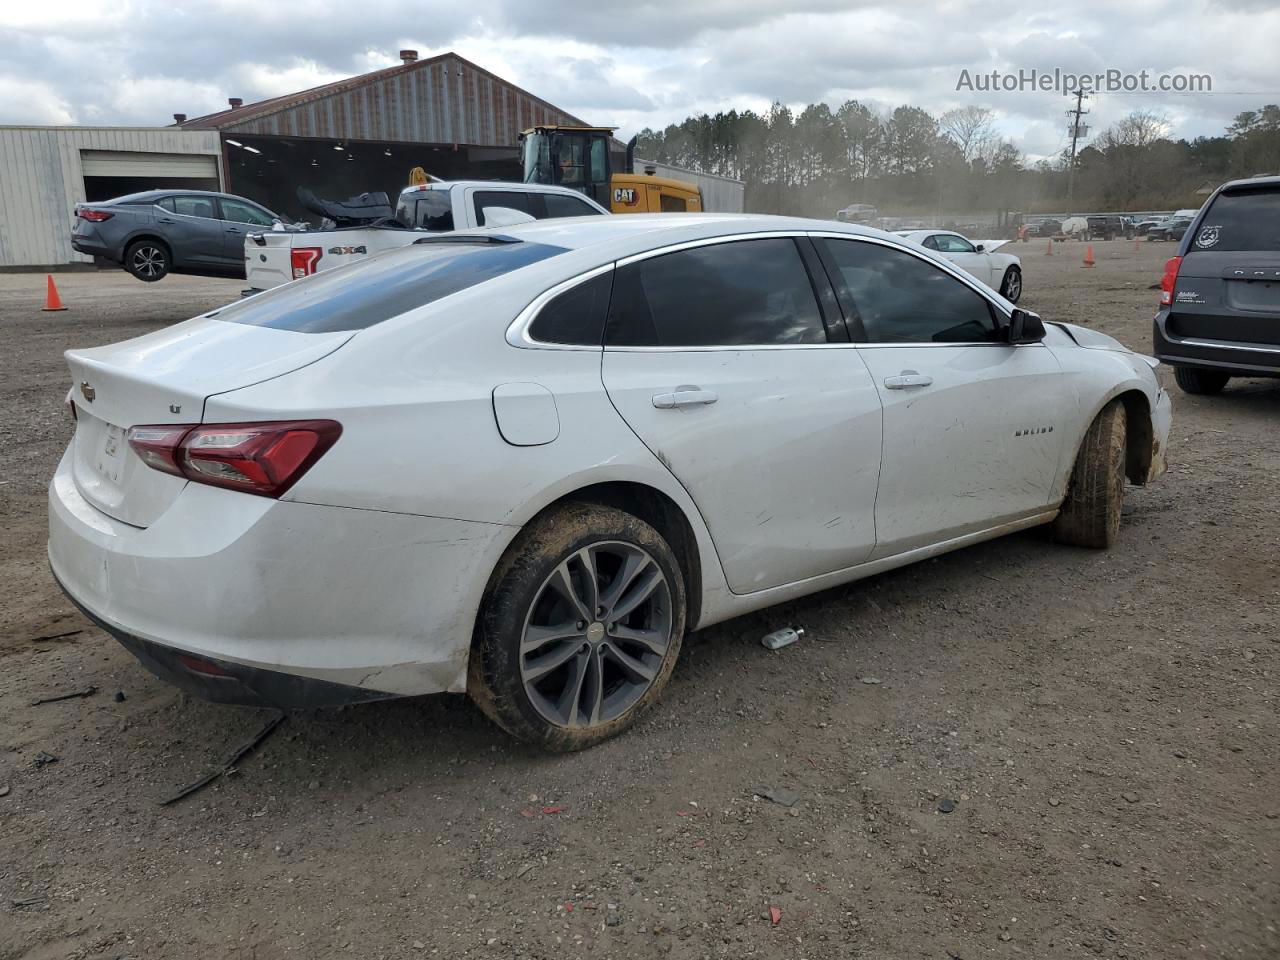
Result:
x=1220 y=298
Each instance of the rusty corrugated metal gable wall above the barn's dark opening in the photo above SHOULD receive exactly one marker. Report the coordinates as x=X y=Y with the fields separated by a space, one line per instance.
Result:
x=447 y=102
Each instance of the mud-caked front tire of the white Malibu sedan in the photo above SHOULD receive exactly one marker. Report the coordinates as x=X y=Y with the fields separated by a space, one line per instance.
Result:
x=1091 y=513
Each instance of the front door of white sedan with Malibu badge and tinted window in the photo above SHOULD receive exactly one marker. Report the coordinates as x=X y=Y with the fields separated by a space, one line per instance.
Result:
x=973 y=426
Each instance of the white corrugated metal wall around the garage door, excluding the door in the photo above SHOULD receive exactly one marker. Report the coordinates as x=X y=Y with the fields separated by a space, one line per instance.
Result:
x=42 y=181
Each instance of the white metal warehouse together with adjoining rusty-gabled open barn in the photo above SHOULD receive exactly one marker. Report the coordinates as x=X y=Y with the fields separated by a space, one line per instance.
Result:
x=364 y=134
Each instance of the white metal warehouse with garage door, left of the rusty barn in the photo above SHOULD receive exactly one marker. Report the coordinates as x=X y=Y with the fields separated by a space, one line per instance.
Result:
x=47 y=171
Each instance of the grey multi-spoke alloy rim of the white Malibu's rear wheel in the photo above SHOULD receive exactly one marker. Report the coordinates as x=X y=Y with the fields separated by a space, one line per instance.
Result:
x=596 y=636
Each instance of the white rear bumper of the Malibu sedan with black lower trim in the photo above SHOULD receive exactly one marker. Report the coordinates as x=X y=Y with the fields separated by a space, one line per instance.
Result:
x=301 y=605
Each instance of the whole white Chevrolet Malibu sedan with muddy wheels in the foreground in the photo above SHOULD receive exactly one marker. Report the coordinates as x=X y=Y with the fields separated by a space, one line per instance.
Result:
x=522 y=465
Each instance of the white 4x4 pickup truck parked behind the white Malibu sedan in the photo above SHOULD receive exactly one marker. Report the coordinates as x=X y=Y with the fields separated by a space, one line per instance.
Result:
x=273 y=258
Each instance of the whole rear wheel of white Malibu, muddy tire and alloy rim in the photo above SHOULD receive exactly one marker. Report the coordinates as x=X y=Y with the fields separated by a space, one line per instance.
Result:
x=580 y=629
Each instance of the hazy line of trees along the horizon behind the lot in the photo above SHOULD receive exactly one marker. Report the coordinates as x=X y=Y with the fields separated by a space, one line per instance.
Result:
x=909 y=162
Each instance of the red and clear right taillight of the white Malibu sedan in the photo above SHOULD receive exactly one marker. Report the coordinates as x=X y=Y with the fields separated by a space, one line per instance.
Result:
x=262 y=459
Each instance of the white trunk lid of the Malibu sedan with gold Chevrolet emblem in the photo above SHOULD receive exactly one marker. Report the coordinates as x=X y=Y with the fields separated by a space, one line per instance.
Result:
x=164 y=378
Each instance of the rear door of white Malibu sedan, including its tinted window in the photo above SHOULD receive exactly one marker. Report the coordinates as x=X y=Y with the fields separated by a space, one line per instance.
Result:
x=719 y=358
